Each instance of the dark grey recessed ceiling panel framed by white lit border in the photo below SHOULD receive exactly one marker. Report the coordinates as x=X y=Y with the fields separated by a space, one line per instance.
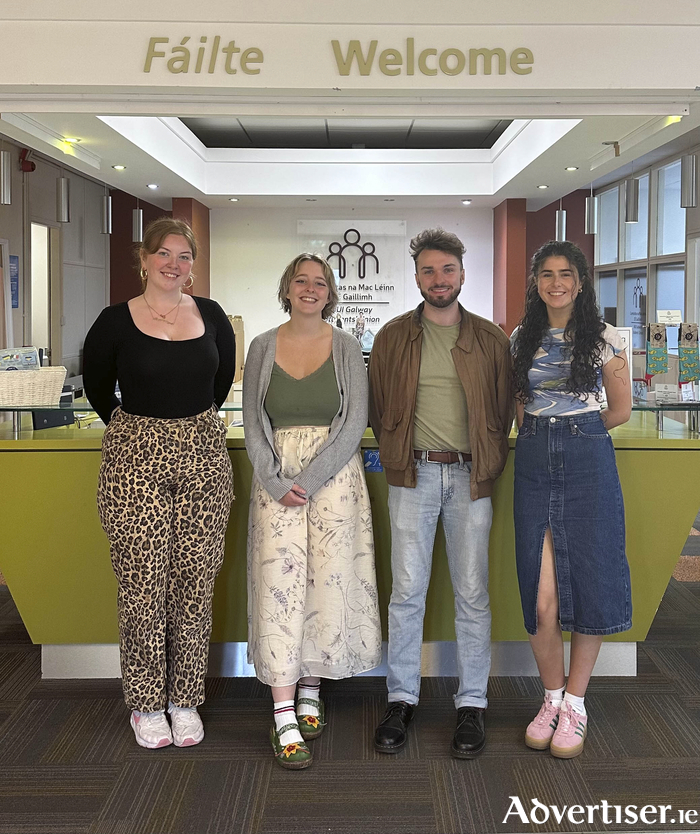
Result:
x=261 y=132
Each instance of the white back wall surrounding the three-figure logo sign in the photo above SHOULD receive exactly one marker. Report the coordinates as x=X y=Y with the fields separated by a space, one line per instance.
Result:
x=251 y=247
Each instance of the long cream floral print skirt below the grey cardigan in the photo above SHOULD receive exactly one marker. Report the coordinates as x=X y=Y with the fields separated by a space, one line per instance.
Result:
x=312 y=592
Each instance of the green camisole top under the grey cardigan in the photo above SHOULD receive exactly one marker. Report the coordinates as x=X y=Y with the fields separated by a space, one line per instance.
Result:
x=311 y=401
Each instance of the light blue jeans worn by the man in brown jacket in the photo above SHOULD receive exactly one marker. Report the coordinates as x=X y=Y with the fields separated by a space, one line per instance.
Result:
x=442 y=490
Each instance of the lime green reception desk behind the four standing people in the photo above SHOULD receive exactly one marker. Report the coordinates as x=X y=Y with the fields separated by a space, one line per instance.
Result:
x=54 y=554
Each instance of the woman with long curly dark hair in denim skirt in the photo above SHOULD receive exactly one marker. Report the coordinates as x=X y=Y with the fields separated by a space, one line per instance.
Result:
x=569 y=515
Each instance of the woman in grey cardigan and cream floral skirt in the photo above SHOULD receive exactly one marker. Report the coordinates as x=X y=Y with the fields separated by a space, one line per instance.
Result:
x=312 y=596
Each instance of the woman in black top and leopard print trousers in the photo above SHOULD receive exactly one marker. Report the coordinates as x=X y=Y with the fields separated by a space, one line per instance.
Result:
x=165 y=484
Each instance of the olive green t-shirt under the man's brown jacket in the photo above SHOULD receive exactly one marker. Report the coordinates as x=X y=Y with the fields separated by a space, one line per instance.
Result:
x=441 y=421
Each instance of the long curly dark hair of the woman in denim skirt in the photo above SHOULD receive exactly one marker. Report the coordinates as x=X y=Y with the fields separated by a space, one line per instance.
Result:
x=584 y=330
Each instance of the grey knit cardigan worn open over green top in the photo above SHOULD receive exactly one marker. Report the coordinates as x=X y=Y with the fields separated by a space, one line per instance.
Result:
x=346 y=430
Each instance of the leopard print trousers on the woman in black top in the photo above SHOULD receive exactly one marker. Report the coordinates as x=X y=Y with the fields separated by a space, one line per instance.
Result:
x=164 y=497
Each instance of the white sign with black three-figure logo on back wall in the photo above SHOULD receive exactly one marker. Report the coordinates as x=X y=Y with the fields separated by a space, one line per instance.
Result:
x=369 y=261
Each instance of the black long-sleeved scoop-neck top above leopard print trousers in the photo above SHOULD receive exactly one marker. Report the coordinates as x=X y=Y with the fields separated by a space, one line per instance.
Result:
x=157 y=377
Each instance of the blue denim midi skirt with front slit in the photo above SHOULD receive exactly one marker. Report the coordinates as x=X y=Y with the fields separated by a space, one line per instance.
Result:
x=566 y=478
